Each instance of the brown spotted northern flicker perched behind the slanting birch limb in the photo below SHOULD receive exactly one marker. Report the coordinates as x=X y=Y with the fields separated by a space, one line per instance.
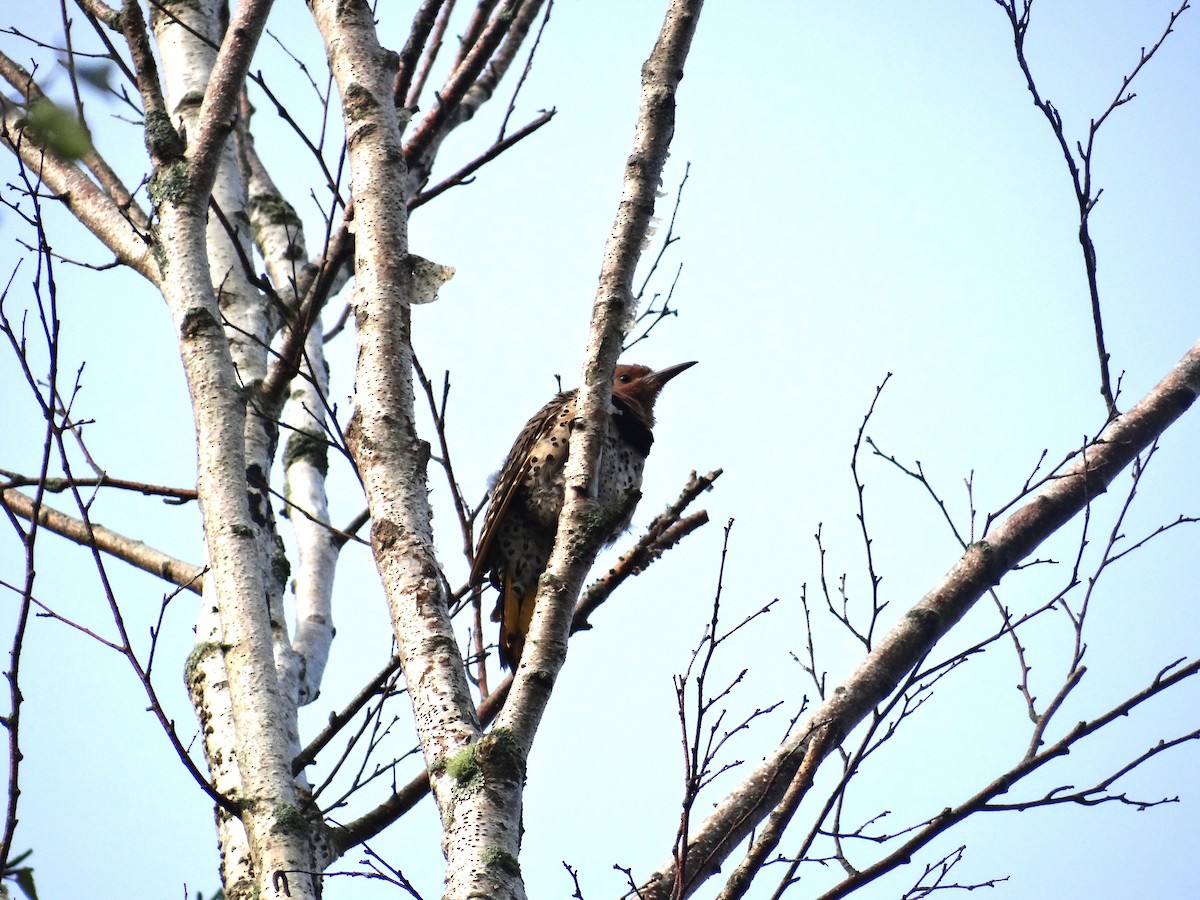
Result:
x=519 y=530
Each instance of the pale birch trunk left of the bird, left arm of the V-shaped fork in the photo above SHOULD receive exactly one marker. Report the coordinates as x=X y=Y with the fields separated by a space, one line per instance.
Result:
x=382 y=435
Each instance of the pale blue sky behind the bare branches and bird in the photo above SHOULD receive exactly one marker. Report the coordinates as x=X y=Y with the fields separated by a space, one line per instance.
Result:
x=872 y=191
